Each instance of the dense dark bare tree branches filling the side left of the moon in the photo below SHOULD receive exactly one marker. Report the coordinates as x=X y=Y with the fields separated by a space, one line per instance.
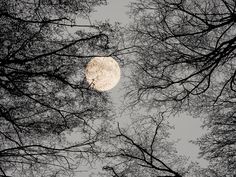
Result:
x=42 y=87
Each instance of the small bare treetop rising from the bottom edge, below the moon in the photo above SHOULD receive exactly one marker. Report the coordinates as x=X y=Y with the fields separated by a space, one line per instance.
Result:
x=144 y=150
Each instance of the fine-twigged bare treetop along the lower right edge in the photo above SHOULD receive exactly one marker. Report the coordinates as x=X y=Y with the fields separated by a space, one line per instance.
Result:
x=218 y=145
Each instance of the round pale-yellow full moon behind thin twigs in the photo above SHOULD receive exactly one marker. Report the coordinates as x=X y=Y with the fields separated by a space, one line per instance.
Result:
x=102 y=73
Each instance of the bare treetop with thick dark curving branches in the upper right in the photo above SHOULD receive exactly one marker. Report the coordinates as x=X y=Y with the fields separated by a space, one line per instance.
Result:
x=184 y=48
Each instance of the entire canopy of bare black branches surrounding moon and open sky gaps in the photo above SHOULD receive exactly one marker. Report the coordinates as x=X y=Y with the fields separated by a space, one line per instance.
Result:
x=183 y=59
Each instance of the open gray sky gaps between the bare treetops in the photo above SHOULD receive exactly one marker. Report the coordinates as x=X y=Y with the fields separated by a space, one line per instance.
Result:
x=186 y=127
